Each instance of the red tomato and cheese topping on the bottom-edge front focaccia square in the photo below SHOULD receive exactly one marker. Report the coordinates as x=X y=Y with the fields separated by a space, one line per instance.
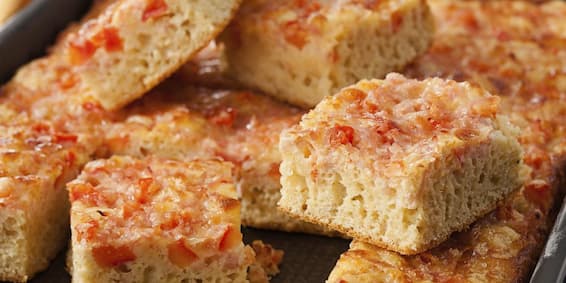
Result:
x=119 y=201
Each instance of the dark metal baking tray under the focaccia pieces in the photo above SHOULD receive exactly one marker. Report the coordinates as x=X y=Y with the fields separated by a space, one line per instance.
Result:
x=308 y=258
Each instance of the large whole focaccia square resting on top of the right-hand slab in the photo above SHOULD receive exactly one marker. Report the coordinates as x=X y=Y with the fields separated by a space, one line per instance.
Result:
x=400 y=163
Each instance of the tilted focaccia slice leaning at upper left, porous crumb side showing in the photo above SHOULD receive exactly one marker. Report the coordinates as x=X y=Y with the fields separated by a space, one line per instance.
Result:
x=124 y=48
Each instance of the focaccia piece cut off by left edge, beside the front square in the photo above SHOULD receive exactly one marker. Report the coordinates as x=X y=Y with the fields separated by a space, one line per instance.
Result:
x=35 y=163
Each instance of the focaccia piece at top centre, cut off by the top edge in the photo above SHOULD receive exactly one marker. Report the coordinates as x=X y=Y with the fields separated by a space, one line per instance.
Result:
x=302 y=51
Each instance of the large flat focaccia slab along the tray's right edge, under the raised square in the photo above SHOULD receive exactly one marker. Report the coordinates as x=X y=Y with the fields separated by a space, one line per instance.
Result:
x=515 y=49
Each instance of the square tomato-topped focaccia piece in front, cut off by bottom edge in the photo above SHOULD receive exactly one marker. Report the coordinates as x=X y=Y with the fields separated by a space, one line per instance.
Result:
x=156 y=220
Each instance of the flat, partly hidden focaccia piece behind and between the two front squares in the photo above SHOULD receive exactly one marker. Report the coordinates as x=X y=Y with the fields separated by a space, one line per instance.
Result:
x=183 y=122
